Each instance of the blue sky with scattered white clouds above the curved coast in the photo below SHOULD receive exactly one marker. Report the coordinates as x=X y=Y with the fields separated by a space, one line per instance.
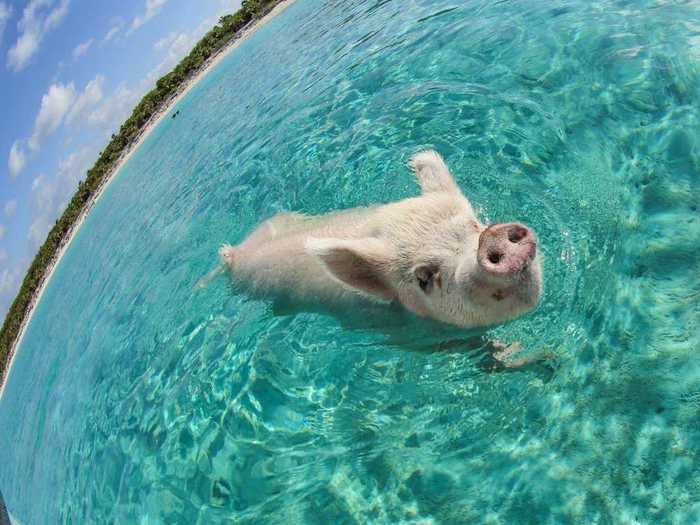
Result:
x=71 y=71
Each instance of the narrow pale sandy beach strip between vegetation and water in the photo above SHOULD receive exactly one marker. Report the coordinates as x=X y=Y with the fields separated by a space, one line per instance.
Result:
x=162 y=113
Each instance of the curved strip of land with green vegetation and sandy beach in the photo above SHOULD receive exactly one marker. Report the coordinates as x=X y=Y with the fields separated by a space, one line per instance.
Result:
x=167 y=94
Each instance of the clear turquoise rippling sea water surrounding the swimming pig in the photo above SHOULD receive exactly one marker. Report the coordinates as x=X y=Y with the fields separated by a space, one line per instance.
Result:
x=133 y=400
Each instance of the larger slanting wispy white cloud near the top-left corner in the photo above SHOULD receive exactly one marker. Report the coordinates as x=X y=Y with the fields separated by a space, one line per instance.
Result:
x=38 y=18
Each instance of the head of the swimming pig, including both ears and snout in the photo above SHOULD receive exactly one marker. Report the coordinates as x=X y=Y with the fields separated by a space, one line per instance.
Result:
x=433 y=256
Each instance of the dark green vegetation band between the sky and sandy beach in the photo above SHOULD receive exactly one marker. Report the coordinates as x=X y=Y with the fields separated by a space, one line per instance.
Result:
x=166 y=89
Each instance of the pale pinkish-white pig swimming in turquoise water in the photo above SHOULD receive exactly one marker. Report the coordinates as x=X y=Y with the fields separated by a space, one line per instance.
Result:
x=430 y=254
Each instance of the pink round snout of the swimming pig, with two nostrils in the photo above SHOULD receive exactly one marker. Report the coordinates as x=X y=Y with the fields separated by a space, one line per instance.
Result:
x=506 y=249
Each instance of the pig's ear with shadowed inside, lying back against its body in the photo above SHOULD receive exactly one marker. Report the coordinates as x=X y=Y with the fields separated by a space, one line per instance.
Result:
x=361 y=264
